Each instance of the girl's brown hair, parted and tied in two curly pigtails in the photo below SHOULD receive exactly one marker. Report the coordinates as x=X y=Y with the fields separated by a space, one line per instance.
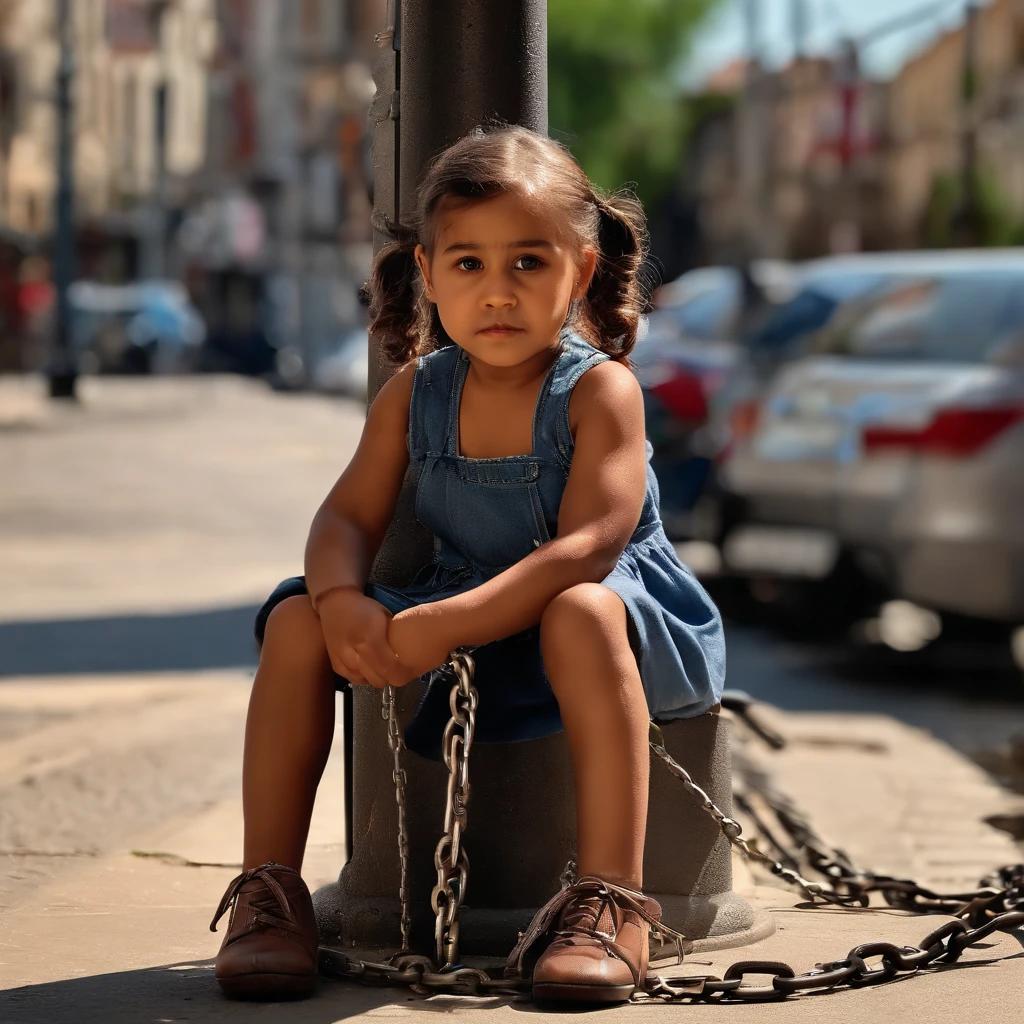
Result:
x=517 y=161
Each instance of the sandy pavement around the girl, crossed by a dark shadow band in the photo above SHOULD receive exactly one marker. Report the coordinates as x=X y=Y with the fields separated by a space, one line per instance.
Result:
x=139 y=534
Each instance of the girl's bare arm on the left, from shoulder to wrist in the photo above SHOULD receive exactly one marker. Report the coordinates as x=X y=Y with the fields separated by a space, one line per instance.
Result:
x=350 y=527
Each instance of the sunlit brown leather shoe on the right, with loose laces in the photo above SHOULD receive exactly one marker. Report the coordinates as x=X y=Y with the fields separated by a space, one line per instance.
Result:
x=600 y=944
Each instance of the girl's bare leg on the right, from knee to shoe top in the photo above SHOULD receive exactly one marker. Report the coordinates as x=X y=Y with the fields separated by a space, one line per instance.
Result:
x=594 y=674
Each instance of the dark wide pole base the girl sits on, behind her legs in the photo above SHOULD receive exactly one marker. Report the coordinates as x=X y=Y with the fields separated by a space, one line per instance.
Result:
x=522 y=834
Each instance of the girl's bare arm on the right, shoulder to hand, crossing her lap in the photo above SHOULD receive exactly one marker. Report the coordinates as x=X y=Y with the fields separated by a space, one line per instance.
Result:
x=600 y=511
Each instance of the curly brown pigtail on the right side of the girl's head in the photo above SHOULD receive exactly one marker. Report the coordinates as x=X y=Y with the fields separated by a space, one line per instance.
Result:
x=616 y=297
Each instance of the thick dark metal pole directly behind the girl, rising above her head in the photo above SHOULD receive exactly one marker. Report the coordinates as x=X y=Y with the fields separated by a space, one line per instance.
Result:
x=446 y=67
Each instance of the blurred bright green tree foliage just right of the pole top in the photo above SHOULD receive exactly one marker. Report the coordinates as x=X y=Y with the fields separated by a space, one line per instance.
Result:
x=614 y=87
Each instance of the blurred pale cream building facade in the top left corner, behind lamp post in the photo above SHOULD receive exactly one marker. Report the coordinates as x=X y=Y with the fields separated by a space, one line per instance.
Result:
x=140 y=97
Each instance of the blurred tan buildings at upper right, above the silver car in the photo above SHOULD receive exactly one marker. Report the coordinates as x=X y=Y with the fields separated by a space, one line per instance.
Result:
x=841 y=162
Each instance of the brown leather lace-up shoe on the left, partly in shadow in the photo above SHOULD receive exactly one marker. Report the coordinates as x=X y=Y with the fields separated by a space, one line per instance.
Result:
x=272 y=943
